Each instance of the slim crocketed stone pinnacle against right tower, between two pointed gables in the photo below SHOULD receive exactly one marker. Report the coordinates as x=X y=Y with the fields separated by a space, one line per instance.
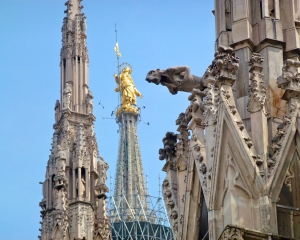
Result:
x=257 y=88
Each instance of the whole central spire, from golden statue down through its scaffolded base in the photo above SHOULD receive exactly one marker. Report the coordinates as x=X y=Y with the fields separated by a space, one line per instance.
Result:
x=133 y=213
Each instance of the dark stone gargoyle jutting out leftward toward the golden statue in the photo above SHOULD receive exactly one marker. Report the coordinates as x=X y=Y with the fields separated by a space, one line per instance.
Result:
x=176 y=79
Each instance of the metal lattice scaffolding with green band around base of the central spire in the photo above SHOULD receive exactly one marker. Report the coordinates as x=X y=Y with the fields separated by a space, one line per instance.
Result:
x=146 y=220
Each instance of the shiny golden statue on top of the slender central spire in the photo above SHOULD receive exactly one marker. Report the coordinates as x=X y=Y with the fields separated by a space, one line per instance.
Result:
x=128 y=91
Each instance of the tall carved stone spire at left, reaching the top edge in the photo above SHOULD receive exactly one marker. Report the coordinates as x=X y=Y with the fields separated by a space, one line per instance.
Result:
x=73 y=204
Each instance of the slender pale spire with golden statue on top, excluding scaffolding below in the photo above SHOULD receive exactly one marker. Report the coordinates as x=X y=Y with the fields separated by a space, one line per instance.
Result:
x=130 y=175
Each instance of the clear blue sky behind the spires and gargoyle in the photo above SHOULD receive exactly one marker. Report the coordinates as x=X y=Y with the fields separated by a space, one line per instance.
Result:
x=152 y=34
